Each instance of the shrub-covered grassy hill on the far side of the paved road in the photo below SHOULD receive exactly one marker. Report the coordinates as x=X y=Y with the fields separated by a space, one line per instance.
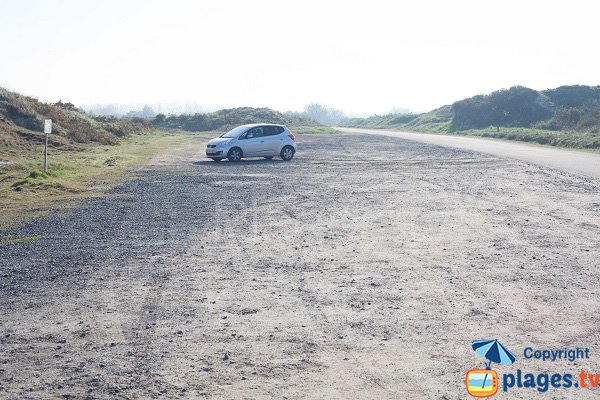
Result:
x=567 y=116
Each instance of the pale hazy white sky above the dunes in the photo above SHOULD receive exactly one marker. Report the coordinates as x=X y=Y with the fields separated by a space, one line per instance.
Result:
x=362 y=57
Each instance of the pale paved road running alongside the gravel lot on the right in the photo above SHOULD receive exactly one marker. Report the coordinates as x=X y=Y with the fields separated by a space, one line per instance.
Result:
x=577 y=162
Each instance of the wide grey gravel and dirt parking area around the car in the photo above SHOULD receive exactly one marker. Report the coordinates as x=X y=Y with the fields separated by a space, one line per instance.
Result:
x=363 y=269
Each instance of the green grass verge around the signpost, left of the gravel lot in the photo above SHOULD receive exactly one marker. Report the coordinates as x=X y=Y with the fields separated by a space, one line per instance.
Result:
x=74 y=171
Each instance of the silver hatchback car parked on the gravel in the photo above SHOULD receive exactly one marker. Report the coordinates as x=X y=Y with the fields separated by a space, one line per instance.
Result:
x=254 y=140
